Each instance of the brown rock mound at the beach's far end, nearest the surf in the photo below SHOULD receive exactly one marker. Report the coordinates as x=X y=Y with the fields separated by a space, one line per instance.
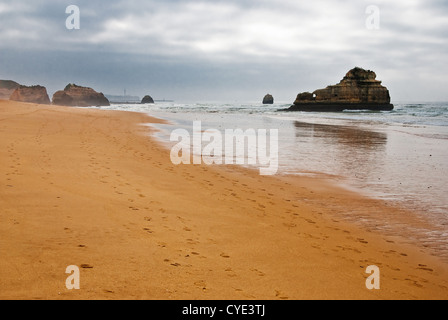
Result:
x=77 y=96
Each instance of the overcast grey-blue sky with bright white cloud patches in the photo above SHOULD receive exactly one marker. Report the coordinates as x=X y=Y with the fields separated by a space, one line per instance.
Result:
x=226 y=50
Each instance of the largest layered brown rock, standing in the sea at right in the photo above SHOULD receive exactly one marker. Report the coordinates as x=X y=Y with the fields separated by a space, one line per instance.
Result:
x=359 y=90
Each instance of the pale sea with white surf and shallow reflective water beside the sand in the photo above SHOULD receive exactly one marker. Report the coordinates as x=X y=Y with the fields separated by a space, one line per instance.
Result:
x=400 y=156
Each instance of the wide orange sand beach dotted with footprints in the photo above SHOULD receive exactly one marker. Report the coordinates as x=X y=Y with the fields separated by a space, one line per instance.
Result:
x=90 y=188
